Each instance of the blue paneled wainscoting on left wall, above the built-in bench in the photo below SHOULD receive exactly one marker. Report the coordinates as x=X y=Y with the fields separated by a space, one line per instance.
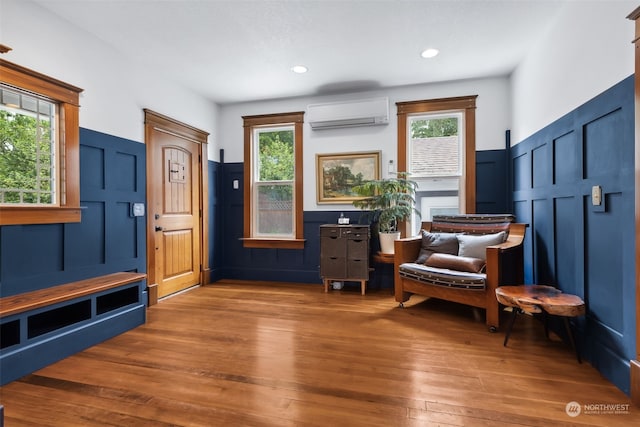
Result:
x=108 y=239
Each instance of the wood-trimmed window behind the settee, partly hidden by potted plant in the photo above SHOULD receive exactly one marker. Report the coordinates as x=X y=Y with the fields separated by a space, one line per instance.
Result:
x=436 y=145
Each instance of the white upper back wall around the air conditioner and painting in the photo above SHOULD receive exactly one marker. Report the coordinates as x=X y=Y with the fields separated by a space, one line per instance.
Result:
x=492 y=120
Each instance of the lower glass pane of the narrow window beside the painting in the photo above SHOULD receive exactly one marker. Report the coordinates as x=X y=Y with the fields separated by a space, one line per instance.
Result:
x=274 y=213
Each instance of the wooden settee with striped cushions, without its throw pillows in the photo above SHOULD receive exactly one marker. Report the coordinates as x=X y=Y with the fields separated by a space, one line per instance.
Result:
x=504 y=263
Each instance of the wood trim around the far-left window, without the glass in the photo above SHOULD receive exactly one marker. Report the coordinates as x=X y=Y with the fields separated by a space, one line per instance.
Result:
x=67 y=97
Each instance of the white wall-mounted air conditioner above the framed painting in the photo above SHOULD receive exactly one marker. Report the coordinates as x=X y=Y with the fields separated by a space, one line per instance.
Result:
x=364 y=112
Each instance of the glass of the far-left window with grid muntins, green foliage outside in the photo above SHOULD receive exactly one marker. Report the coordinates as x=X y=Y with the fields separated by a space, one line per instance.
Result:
x=27 y=149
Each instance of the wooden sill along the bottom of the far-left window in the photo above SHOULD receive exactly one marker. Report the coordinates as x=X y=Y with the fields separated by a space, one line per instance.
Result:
x=23 y=215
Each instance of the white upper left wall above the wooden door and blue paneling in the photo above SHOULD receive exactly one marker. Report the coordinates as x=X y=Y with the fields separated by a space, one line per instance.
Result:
x=115 y=88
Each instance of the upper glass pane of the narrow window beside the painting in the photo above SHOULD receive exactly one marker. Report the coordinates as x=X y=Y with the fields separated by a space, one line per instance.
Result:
x=275 y=154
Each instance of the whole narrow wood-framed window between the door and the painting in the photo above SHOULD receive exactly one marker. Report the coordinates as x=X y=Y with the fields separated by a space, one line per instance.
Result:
x=273 y=181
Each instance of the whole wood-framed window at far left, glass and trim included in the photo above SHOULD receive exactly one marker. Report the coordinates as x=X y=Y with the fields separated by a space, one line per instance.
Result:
x=39 y=139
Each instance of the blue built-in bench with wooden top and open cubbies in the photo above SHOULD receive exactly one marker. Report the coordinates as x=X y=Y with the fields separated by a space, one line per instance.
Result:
x=40 y=327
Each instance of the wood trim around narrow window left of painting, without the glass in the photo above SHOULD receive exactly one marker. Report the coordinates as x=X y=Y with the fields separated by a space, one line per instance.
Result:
x=248 y=241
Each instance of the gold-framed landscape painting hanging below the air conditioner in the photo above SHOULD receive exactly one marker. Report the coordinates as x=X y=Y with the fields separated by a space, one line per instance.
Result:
x=337 y=174
